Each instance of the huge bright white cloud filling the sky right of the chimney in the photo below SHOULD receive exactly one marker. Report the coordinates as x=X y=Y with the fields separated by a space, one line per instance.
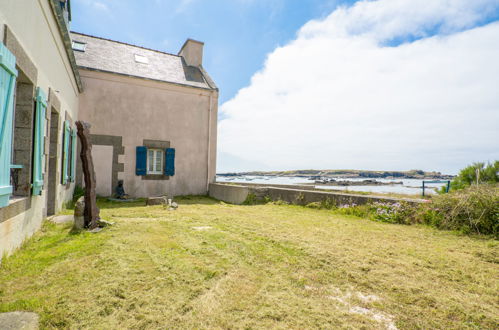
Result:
x=336 y=97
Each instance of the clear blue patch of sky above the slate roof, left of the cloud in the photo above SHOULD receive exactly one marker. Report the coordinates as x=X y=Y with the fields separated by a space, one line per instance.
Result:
x=238 y=34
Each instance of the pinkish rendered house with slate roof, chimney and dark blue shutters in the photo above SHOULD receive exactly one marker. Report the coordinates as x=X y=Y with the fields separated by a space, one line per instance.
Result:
x=153 y=117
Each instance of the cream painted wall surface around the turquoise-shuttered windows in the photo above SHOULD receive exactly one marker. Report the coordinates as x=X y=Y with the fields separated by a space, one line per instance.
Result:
x=35 y=27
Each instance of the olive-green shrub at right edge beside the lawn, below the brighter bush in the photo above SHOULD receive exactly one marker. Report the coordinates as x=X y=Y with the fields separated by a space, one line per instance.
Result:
x=471 y=210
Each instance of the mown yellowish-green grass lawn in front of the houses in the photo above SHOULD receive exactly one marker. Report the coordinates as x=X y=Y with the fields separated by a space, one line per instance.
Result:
x=213 y=265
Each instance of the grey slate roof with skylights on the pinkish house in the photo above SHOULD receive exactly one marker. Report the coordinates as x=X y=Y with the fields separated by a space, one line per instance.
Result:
x=117 y=57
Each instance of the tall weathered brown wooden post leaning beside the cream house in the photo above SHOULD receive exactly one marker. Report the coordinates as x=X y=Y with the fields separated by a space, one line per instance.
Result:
x=91 y=213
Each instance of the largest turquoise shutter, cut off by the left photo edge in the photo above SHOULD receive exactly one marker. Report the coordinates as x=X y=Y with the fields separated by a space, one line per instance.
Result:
x=8 y=74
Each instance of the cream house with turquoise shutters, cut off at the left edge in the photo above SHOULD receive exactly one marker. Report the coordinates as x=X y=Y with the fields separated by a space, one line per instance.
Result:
x=39 y=90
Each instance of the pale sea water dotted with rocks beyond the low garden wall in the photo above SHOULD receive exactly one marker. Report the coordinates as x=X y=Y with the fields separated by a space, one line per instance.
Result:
x=408 y=186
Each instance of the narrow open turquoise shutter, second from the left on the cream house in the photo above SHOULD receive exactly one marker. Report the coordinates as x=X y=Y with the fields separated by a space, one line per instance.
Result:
x=38 y=143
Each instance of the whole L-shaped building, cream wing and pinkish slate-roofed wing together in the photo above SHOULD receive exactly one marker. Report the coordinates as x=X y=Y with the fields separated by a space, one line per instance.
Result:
x=153 y=116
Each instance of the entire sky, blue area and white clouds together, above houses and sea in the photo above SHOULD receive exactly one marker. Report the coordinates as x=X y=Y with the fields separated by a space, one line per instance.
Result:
x=381 y=84
